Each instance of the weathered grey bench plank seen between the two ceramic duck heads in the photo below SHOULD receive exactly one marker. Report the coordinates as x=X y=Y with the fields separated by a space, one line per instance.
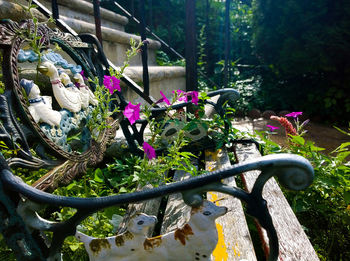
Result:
x=177 y=213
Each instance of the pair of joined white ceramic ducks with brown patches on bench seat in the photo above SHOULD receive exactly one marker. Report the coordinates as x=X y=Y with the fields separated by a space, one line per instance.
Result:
x=196 y=240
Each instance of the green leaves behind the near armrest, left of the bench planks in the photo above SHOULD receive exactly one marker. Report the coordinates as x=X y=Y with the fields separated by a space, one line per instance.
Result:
x=118 y=177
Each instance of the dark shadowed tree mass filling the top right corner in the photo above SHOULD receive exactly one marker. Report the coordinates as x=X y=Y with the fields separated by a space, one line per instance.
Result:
x=304 y=49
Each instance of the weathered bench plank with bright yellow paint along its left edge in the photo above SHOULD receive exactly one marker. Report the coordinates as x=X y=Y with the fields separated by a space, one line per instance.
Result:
x=234 y=239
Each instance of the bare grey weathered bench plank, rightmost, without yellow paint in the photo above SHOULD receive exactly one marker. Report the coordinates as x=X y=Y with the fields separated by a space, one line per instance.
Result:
x=293 y=242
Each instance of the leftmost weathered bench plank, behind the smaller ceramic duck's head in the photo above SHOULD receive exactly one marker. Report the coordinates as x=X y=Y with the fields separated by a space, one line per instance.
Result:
x=149 y=207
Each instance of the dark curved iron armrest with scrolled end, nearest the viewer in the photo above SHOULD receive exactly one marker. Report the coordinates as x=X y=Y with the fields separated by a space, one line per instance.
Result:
x=292 y=171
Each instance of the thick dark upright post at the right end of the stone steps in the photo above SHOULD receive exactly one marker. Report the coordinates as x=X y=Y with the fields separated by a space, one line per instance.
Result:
x=190 y=48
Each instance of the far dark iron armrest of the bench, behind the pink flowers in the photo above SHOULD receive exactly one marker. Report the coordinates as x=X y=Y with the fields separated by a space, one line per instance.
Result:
x=135 y=136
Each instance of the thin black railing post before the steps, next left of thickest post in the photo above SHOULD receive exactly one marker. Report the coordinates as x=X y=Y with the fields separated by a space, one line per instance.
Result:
x=145 y=75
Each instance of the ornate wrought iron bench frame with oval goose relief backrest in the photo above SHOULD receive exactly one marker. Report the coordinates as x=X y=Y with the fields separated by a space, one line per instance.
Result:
x=30 y=144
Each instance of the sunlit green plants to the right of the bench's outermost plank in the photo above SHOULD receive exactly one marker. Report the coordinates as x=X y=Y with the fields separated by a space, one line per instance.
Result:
x=324 y=207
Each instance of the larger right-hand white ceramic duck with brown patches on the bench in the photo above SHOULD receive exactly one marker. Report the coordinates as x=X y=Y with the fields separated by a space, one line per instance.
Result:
x=196 y=240
